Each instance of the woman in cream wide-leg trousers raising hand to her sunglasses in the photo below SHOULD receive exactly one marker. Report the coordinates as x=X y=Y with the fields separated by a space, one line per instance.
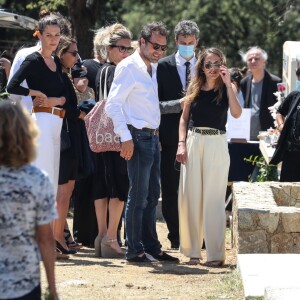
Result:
x=203 y=152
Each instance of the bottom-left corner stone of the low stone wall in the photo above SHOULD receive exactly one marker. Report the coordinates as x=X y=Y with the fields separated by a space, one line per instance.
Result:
x=252 y=242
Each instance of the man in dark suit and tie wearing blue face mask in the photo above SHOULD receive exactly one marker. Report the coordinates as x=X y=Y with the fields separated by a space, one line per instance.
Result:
x=173 y=76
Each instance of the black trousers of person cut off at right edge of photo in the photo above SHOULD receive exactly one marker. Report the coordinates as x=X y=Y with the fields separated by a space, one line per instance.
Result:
x=290 y=170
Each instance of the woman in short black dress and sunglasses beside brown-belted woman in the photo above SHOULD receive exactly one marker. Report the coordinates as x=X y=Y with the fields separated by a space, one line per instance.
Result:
x=68 y=53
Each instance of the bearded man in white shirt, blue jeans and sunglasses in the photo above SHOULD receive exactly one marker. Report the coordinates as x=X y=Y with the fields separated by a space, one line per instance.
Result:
x=133 y=106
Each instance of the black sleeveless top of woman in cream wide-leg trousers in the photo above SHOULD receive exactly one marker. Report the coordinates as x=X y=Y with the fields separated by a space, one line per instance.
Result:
x=207 y=112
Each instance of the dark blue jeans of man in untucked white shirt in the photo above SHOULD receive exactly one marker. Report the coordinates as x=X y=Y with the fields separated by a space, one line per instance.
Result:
x=144 y=189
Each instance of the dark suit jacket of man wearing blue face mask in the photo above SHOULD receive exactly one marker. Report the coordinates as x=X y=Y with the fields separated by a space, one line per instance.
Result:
x=169 y=88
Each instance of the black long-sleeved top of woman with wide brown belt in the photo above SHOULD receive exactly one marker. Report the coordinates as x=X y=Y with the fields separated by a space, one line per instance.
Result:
x=38 y=77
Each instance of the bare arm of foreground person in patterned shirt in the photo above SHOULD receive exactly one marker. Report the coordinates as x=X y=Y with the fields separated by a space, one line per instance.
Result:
x=45 y=240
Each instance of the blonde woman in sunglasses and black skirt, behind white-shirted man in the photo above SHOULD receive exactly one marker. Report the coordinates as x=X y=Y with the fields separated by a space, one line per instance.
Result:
x=113 y=188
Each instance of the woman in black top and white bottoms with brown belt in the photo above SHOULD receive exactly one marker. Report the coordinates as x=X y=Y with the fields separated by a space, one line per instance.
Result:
x=43 y=74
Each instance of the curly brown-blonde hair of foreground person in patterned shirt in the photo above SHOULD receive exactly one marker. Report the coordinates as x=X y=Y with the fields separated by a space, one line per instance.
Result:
x=18 y=133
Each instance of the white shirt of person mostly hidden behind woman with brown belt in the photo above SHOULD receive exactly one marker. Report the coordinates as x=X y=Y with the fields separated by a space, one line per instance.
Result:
x=18 y=60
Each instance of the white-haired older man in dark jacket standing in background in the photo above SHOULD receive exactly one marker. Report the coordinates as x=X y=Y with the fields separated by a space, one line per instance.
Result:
x=258 y=89
